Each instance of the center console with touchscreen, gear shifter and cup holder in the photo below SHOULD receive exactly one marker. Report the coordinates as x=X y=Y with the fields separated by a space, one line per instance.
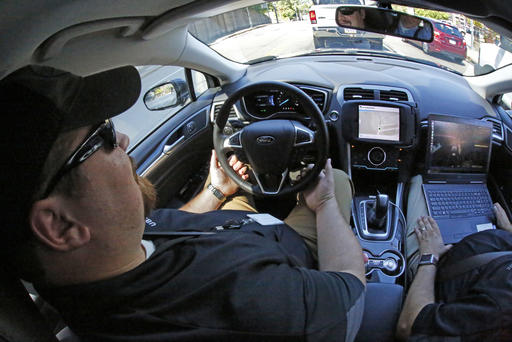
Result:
x=379 y=135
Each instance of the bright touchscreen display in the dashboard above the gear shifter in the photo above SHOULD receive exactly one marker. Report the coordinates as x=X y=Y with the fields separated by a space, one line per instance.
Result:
x=379 y=123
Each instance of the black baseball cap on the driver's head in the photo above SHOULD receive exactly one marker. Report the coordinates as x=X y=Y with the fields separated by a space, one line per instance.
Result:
x=37 y=103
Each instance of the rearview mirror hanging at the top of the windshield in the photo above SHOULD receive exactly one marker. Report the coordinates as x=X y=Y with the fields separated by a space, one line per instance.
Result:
x=385 y=21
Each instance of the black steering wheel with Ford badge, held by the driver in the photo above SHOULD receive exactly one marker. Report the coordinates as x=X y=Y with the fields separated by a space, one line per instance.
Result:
x=273 y=147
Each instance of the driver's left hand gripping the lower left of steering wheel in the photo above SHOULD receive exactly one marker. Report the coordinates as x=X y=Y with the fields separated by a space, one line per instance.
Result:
x=221 y=180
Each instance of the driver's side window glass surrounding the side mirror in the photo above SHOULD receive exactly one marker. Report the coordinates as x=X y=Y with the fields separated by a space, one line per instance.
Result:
x=139 y=121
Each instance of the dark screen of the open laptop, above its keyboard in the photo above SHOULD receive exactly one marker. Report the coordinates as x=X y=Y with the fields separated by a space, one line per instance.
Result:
x=457 y=145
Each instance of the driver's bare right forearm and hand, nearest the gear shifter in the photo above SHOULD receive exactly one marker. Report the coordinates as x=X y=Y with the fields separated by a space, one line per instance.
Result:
x=338 y=248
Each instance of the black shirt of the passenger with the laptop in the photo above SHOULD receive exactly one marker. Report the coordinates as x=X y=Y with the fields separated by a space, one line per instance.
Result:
x=474 y=307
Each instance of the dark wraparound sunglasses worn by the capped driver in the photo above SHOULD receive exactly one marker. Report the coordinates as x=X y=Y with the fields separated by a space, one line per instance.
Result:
x=102 y=135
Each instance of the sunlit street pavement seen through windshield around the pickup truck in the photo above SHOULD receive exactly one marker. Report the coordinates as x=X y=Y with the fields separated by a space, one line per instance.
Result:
x=296 y=37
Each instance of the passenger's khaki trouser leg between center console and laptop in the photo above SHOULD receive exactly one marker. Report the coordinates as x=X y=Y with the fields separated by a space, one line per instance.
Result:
x=416 y=207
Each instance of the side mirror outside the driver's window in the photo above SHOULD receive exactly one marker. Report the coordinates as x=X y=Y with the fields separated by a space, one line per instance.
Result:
x=167 y=95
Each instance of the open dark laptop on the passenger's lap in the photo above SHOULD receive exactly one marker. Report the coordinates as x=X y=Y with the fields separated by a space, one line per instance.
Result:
x=455 y=182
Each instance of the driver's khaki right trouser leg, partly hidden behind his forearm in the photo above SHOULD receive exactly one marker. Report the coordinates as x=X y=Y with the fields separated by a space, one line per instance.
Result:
x=303 y=220
